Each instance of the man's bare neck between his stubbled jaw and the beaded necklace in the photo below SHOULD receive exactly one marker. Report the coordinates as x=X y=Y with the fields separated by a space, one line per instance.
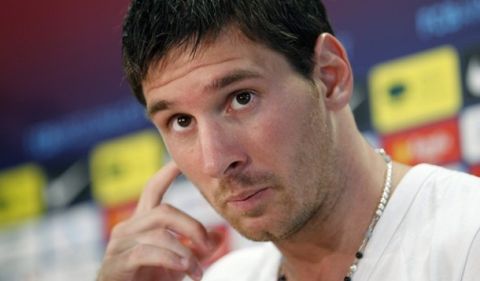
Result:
x=325 y=248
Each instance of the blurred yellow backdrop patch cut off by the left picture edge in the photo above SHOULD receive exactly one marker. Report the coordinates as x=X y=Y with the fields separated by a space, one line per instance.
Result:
x=21 y=193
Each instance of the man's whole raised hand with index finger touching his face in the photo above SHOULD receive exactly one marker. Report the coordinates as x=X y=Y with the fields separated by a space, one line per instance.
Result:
x=146 y=246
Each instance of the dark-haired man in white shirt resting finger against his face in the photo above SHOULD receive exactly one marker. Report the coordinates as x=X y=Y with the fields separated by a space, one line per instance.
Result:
x=251 y=99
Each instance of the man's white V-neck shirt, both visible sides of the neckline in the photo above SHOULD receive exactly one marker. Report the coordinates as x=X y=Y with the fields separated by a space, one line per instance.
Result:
x=429 y=231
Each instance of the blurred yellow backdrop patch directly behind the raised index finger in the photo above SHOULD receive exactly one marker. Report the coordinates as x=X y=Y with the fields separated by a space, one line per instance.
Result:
x=120 y=168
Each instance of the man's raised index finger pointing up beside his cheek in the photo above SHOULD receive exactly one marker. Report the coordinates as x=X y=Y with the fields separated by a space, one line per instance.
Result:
x=156 y=187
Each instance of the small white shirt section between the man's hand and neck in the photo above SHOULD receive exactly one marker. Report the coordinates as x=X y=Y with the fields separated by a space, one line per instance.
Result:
x=259 y=262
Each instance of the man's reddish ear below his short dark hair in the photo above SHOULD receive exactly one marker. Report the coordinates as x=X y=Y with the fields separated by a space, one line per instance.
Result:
x=332 y=69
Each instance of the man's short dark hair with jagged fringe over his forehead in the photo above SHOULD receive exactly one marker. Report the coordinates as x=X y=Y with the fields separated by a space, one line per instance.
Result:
x=154 y=27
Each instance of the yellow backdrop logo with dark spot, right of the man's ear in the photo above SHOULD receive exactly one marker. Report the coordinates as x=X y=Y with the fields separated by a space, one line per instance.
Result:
x=415 y=90
